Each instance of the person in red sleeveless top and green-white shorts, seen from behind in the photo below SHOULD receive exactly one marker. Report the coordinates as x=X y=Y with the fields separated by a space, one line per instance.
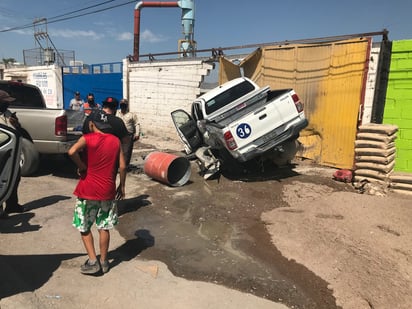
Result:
x=98 y=156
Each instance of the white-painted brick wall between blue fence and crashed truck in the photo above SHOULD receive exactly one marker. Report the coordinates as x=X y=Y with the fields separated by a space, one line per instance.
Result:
x=155 y=89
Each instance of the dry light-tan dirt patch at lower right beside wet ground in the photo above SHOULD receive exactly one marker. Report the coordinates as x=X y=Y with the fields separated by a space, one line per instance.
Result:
x=360 y=244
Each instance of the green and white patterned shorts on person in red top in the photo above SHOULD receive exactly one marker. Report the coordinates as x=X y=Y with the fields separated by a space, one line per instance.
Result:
x=87 y=212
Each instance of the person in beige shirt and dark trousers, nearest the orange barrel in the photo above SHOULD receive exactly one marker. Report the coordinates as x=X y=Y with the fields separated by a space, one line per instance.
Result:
x=133 y=127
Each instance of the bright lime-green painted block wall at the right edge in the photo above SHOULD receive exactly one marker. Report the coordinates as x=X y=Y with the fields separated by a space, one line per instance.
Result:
x=398 y=105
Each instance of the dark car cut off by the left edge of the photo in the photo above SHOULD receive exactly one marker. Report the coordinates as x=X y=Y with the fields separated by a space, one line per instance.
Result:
x=10 y=148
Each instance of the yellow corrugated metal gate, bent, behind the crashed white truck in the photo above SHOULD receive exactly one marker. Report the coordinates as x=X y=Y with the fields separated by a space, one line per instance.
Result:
x=330 y=79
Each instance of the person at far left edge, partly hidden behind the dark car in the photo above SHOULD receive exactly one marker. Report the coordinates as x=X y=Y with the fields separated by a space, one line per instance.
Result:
x=10 y=119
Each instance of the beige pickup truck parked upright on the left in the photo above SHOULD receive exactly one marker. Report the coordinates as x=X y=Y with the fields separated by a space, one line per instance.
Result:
x=49 y=130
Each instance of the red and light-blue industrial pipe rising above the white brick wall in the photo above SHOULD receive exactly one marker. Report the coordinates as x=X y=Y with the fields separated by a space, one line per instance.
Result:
x=187 y=6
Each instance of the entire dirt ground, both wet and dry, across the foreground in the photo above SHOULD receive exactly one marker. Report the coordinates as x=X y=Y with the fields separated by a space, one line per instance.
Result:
x=292 y=236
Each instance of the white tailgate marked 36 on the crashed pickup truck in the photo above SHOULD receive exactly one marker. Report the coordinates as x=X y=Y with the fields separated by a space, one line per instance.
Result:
x=276 y=113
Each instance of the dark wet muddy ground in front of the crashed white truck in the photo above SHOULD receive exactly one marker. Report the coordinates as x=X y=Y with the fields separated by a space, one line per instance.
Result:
x=212 y=231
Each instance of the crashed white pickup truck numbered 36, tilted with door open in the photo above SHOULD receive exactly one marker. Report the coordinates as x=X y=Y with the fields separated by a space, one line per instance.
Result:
x=241 y=119
